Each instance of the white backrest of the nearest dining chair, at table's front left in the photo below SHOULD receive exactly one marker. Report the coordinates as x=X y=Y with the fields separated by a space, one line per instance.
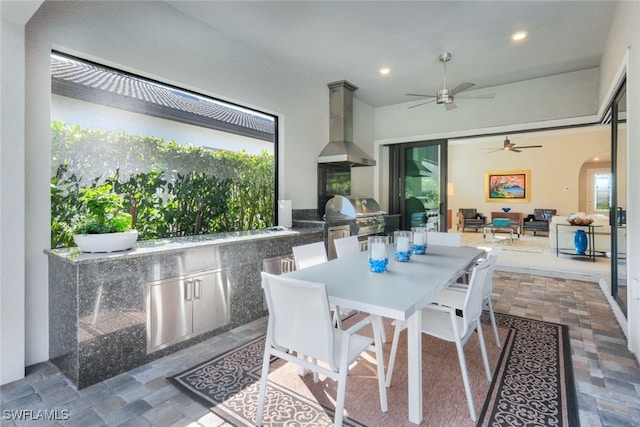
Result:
x=299 y=317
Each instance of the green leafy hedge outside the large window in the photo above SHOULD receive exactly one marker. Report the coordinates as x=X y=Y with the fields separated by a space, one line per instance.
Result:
x=170 y=189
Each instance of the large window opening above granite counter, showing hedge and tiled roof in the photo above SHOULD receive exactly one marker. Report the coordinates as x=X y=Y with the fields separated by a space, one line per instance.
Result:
x=185 y=163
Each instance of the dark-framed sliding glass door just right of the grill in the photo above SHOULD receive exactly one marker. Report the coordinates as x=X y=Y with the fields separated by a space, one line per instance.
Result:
x=418 y=184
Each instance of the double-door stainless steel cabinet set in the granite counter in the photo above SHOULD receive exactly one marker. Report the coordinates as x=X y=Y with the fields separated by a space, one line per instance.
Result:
x=182 y=307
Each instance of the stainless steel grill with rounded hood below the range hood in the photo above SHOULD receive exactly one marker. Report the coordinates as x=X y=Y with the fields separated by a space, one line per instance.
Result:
x=365 y=210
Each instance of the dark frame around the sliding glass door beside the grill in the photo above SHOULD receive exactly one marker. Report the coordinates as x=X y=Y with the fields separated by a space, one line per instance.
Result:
x=397 y=162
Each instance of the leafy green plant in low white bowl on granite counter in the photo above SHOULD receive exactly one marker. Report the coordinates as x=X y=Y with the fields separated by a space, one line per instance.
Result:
x=103 y=227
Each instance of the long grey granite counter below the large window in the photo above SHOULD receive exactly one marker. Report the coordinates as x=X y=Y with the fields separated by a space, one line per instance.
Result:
x=99 y=304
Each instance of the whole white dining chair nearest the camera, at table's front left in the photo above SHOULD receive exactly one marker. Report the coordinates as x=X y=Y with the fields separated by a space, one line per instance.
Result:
x=299 y=322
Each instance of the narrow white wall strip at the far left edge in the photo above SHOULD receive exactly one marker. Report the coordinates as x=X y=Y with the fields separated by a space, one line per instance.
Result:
x=12 y=190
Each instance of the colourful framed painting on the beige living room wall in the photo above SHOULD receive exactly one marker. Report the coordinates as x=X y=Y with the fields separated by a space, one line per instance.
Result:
x=511 y=186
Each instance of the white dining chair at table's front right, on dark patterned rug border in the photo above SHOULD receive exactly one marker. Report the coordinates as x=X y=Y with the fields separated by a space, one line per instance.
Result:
x=442 y=322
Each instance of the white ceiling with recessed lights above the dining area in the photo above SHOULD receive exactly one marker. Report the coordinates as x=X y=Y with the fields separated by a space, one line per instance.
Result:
x=351 y=40
